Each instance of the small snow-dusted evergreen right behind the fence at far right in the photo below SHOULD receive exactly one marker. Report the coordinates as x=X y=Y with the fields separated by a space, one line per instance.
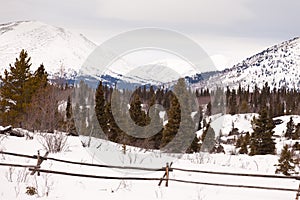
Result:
x=286 y=163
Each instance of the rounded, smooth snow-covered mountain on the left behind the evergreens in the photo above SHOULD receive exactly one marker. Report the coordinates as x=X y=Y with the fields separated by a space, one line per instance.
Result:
x=58 y=49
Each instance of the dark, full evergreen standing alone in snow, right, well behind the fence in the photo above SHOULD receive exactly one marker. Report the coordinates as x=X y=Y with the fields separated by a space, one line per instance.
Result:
x=261 y=141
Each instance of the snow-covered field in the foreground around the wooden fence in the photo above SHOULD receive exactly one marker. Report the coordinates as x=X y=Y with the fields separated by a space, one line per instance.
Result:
x=14 y=181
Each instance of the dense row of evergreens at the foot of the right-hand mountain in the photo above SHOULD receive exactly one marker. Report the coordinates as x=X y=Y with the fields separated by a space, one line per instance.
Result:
x=277 y=102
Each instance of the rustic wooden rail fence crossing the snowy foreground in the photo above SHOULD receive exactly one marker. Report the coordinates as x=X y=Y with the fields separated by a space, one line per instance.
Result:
x=167 y=169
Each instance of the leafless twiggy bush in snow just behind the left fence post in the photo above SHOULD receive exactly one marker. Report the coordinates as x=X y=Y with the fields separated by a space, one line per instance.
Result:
x=54 y=143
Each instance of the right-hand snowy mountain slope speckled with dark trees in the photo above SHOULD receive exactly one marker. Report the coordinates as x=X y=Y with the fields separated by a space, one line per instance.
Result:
x=278 y=65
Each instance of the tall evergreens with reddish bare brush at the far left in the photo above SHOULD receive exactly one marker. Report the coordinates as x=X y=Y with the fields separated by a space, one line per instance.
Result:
x=28 y=100
